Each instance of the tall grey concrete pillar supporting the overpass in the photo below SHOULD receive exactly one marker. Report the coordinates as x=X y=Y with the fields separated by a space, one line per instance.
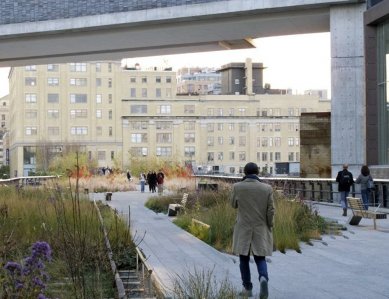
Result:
x=348 y=106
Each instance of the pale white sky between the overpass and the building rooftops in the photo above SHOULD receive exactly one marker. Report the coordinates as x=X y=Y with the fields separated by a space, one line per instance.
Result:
x=298 y=62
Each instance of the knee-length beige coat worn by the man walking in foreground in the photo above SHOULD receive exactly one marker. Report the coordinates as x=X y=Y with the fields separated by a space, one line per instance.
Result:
x=254 y=222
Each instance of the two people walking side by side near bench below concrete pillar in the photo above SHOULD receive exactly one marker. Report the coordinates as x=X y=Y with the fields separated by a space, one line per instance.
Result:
x=345 y=181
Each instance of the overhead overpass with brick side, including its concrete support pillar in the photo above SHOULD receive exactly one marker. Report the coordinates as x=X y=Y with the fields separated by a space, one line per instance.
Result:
x=40 y=32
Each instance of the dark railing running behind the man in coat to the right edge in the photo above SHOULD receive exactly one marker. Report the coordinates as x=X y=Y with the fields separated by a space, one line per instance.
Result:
x=316 y=189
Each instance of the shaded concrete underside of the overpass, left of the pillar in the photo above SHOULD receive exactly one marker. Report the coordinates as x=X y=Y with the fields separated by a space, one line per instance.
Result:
x=158 y=38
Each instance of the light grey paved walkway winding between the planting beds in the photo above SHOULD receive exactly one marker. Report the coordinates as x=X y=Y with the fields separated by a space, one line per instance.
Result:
x=352 y=265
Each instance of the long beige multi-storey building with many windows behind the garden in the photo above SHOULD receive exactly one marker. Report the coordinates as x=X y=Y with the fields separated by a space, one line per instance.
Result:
x=114 y=114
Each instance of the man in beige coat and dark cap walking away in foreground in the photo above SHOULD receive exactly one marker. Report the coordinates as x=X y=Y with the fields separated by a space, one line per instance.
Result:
x=253 y=227
